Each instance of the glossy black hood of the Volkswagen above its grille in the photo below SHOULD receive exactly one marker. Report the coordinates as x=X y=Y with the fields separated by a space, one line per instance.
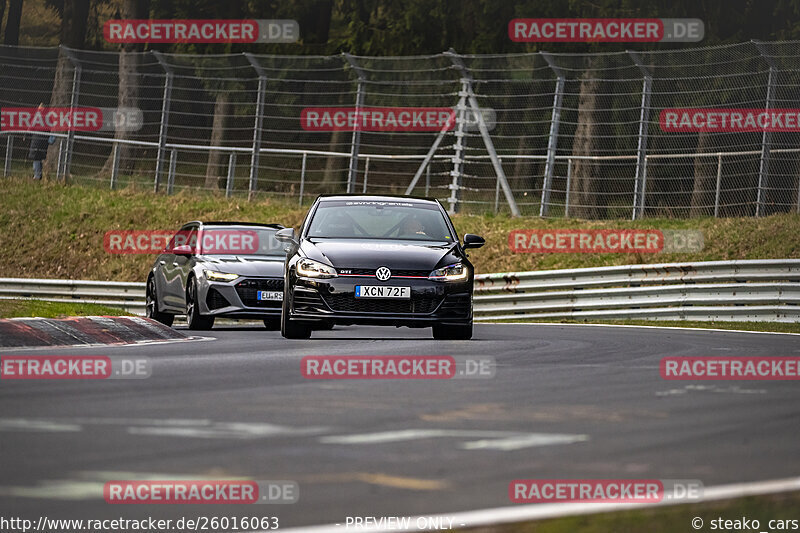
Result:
x=363 y=253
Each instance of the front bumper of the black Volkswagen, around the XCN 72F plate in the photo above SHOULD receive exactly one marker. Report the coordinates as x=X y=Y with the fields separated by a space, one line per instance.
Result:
x=334 y=300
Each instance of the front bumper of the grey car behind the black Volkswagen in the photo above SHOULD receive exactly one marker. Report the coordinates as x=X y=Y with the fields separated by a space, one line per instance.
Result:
x=239 y=298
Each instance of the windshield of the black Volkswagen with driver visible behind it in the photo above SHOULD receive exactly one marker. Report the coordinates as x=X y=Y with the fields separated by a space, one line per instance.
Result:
x=350 y=219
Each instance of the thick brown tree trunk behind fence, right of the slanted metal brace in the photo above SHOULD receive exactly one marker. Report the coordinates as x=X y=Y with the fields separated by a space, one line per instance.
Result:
x=585 y=187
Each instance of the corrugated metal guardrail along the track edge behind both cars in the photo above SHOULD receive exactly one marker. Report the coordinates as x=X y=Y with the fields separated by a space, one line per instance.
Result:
x=745 y=290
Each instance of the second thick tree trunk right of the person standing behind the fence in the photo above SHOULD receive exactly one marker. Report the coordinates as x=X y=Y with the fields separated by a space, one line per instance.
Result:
x=128 y=87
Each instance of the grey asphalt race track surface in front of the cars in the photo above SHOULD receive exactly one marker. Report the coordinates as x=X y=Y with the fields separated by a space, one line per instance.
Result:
x=566 y=402
